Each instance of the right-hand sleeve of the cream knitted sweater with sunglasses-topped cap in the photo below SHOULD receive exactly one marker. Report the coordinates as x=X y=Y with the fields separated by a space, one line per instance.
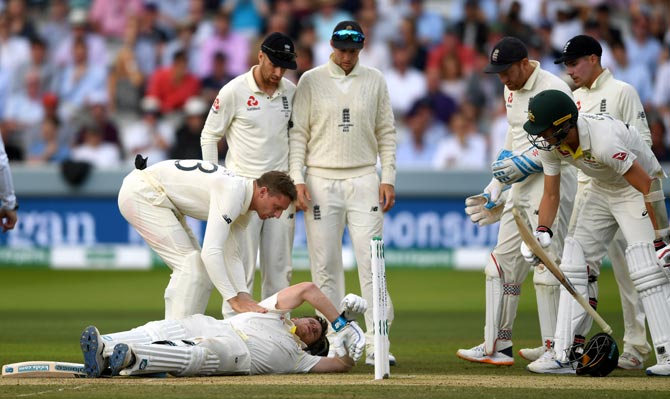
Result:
x=386 y=135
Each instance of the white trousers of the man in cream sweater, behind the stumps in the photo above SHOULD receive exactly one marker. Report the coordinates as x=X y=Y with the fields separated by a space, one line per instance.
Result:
x=353 y=203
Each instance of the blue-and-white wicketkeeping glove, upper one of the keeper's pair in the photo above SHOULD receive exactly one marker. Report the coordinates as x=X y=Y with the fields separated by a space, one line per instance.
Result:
x=511 y=167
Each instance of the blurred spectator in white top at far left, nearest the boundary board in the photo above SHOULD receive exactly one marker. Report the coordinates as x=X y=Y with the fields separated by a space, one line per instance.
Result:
x=95 y=150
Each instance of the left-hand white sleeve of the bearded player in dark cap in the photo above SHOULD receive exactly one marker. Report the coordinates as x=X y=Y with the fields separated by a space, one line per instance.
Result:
x=218 y=121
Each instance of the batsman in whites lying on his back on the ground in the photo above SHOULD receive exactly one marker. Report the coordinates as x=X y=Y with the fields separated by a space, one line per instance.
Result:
x=247 y=343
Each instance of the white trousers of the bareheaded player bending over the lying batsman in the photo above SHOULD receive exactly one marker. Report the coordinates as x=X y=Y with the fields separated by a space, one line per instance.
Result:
x=144 y=204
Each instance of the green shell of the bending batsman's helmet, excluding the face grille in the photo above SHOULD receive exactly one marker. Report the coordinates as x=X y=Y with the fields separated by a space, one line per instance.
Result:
x=549 y=108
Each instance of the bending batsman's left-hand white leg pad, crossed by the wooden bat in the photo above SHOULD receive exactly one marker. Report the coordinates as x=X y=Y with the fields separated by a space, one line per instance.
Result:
x=570 y=313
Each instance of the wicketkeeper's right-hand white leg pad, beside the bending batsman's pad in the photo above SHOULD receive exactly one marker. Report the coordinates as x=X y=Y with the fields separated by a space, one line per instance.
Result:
x=547 y=292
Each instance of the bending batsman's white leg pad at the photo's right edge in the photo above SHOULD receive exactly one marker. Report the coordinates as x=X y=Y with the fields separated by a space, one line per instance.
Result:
x=653 y=286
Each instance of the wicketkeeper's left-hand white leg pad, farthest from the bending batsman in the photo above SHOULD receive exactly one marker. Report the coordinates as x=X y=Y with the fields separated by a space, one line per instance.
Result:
x=502 y=300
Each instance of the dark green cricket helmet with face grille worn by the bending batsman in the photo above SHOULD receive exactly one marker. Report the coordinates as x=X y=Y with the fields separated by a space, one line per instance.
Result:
x=550 y=109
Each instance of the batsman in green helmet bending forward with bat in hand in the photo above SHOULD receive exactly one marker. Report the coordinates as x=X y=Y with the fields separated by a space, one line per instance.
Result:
x=623 y=190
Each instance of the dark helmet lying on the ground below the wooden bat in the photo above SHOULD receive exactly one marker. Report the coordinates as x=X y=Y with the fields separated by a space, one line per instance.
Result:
x=600 y=357
